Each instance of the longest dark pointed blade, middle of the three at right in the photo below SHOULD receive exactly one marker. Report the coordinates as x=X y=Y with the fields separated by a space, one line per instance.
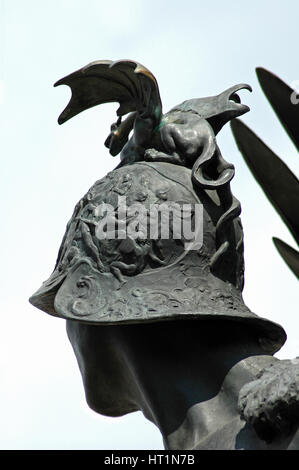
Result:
x=278 y=183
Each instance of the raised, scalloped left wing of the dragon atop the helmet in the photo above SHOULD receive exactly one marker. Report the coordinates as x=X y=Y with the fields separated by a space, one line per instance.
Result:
x=129 y=83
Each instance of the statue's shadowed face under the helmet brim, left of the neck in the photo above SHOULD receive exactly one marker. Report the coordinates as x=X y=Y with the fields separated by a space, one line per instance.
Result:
x=106 y=377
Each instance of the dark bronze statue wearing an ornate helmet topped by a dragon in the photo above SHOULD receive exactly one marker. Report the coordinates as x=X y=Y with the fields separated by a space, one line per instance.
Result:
x=158 y=323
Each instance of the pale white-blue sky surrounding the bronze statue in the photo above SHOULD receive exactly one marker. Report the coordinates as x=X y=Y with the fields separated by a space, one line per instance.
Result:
x=195 y=48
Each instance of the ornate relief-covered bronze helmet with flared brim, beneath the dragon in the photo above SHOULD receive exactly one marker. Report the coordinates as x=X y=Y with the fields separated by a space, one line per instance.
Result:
x=138 y=278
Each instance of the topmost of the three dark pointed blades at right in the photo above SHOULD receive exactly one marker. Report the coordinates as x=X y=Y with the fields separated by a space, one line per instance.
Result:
x=283 y=100
